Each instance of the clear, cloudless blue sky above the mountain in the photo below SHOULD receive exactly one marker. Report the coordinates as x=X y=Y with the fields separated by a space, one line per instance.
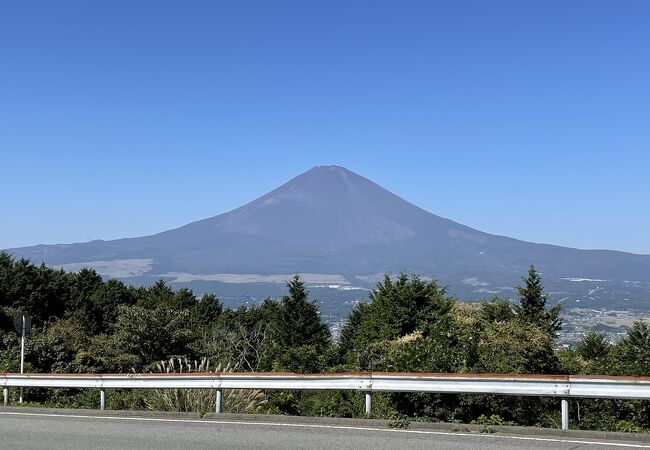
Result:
x=527 y=119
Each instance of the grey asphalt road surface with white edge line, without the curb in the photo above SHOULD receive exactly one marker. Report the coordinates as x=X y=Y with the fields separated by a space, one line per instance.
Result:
x=46 y=430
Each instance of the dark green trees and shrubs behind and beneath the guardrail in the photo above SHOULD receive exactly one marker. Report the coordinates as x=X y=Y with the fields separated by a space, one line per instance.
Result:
x=83 y=324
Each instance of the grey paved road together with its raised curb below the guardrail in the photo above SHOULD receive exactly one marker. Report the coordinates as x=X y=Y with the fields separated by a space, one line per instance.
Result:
x=36 y=428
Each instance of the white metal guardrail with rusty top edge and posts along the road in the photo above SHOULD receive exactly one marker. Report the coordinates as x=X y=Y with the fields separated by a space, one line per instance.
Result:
x=563 y=386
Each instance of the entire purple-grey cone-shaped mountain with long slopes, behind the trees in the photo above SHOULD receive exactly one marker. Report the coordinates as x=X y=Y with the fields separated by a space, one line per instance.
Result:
x=339 y=226
